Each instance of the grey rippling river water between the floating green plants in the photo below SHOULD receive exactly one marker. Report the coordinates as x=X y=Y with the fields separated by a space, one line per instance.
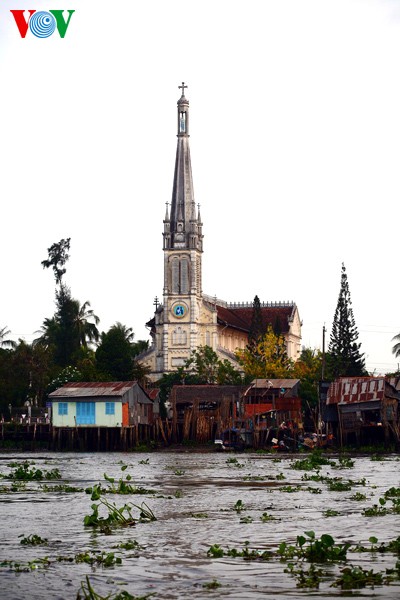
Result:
x=194 y=503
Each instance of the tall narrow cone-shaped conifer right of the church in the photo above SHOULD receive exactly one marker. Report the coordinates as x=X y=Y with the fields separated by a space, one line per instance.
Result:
x=345 y=358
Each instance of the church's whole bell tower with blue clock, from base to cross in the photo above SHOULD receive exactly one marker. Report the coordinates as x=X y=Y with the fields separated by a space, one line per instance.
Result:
x=183 y=247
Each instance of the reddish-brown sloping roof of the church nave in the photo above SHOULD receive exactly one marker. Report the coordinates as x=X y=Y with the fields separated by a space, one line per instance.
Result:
x=278 y=316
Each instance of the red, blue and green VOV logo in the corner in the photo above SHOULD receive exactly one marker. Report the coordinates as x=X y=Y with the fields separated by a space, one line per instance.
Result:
x=42 y=23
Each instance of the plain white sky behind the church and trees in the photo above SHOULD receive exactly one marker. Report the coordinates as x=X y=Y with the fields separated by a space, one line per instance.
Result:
x=295 y=143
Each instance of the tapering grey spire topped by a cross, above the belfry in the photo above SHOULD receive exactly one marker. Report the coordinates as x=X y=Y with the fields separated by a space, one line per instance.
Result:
x=182 y=214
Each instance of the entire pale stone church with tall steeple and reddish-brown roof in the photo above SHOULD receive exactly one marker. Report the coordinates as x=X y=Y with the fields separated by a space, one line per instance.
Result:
x=187 y=318
